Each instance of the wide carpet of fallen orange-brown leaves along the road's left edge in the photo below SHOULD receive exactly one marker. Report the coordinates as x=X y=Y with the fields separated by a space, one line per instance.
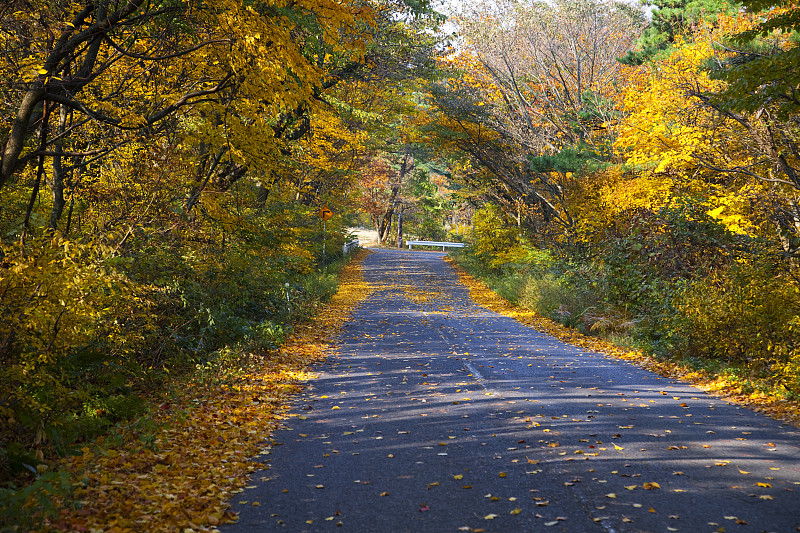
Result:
x=181 y=477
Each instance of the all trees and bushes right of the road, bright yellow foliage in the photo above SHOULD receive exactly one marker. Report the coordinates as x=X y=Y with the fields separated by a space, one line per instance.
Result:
x=655 y=205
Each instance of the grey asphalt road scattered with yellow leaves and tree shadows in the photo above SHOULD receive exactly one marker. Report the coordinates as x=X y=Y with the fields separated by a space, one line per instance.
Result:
x=438 y=415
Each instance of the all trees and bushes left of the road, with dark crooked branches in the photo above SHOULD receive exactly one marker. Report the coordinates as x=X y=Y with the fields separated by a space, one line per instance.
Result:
x=161 y=169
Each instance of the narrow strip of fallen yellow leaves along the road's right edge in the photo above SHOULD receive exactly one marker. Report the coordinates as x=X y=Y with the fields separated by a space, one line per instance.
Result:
x=771 y=405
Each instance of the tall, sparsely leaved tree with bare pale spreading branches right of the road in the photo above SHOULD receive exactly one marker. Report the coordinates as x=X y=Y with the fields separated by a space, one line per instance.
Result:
x=531 y=102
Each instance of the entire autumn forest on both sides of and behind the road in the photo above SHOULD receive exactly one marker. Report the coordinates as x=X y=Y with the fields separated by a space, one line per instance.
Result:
x=630 y=175
